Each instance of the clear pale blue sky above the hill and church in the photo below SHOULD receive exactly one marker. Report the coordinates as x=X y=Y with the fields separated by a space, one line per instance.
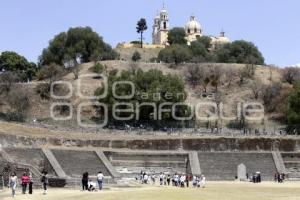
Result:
x=27 y=26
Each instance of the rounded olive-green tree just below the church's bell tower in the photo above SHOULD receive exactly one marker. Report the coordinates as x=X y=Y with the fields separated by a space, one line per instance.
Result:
x=175 y=54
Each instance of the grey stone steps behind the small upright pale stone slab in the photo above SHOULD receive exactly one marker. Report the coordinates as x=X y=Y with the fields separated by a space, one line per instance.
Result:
x=223 y=166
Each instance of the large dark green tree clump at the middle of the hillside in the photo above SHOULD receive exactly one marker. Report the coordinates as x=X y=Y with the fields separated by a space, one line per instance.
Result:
x=147 y=85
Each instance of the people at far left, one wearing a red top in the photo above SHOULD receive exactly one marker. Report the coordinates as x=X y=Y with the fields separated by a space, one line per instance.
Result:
x=26 y=181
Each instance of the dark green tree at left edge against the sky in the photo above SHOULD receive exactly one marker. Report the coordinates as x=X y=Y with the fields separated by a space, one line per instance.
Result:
x=13 y=62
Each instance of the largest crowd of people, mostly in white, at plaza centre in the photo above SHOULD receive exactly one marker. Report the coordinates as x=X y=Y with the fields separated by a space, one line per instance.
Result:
x=176 y=180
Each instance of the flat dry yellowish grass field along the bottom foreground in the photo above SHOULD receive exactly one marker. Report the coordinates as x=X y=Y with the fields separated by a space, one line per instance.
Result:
x=213 y=191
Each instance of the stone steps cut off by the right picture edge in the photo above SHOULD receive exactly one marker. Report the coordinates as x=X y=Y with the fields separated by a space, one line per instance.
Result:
x=292 y=165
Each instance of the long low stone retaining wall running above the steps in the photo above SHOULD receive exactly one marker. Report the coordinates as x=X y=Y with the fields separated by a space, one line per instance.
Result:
x=284 y=144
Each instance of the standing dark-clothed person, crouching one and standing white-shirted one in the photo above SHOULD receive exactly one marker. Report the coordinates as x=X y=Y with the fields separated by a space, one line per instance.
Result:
x=89 y=185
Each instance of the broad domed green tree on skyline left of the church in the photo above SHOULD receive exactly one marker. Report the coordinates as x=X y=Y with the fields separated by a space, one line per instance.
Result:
x=76 y=41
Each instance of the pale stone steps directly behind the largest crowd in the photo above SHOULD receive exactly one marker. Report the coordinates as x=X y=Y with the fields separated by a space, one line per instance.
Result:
x=130 y=164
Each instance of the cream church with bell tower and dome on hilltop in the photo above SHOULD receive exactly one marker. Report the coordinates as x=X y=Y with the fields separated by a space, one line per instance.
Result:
x=193 y=30
